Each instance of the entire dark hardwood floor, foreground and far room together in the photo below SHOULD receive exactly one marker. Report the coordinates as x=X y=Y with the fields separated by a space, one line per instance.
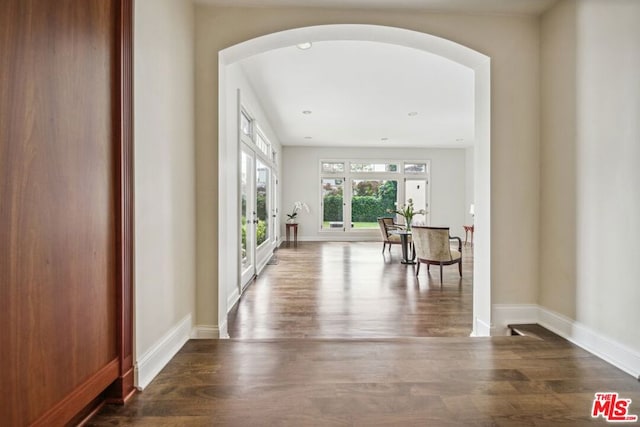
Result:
x=323 y=353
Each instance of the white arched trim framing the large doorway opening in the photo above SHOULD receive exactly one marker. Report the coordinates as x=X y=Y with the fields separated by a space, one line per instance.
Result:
x=227 y=173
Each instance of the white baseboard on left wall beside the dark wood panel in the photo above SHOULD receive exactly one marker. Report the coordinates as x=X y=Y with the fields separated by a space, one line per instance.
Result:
x=155 y=359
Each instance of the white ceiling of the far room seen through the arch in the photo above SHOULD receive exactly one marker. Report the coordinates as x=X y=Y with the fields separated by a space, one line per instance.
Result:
x=359 y=92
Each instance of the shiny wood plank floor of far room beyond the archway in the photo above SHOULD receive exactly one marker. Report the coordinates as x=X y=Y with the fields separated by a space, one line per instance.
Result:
x=352 y=290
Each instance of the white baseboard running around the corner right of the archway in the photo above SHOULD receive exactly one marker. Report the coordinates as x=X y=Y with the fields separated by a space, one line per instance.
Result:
x=609 y=350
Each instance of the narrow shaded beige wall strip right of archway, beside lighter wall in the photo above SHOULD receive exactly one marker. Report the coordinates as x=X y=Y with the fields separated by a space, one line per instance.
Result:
x=558 y=233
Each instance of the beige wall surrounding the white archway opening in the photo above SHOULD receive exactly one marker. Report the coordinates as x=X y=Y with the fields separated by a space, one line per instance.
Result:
x=512 y=43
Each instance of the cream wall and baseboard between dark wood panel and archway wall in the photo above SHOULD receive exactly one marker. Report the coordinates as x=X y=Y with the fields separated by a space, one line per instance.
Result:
x=164 y=180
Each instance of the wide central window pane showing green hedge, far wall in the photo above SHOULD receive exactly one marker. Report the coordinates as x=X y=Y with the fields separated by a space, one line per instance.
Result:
x=370 y=200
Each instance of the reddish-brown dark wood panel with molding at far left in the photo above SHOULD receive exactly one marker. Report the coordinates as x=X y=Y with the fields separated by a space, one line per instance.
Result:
x=65 y=207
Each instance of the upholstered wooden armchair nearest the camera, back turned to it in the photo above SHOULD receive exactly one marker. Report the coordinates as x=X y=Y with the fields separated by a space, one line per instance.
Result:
x=433 y=246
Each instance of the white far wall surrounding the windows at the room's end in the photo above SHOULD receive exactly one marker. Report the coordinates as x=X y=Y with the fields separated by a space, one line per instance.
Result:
x=301 y=181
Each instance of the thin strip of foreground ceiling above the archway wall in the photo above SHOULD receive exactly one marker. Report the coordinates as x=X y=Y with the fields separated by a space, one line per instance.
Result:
x=519 y=7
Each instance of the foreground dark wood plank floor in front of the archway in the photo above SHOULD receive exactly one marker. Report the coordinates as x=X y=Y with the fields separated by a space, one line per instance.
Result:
x=498 y=381
